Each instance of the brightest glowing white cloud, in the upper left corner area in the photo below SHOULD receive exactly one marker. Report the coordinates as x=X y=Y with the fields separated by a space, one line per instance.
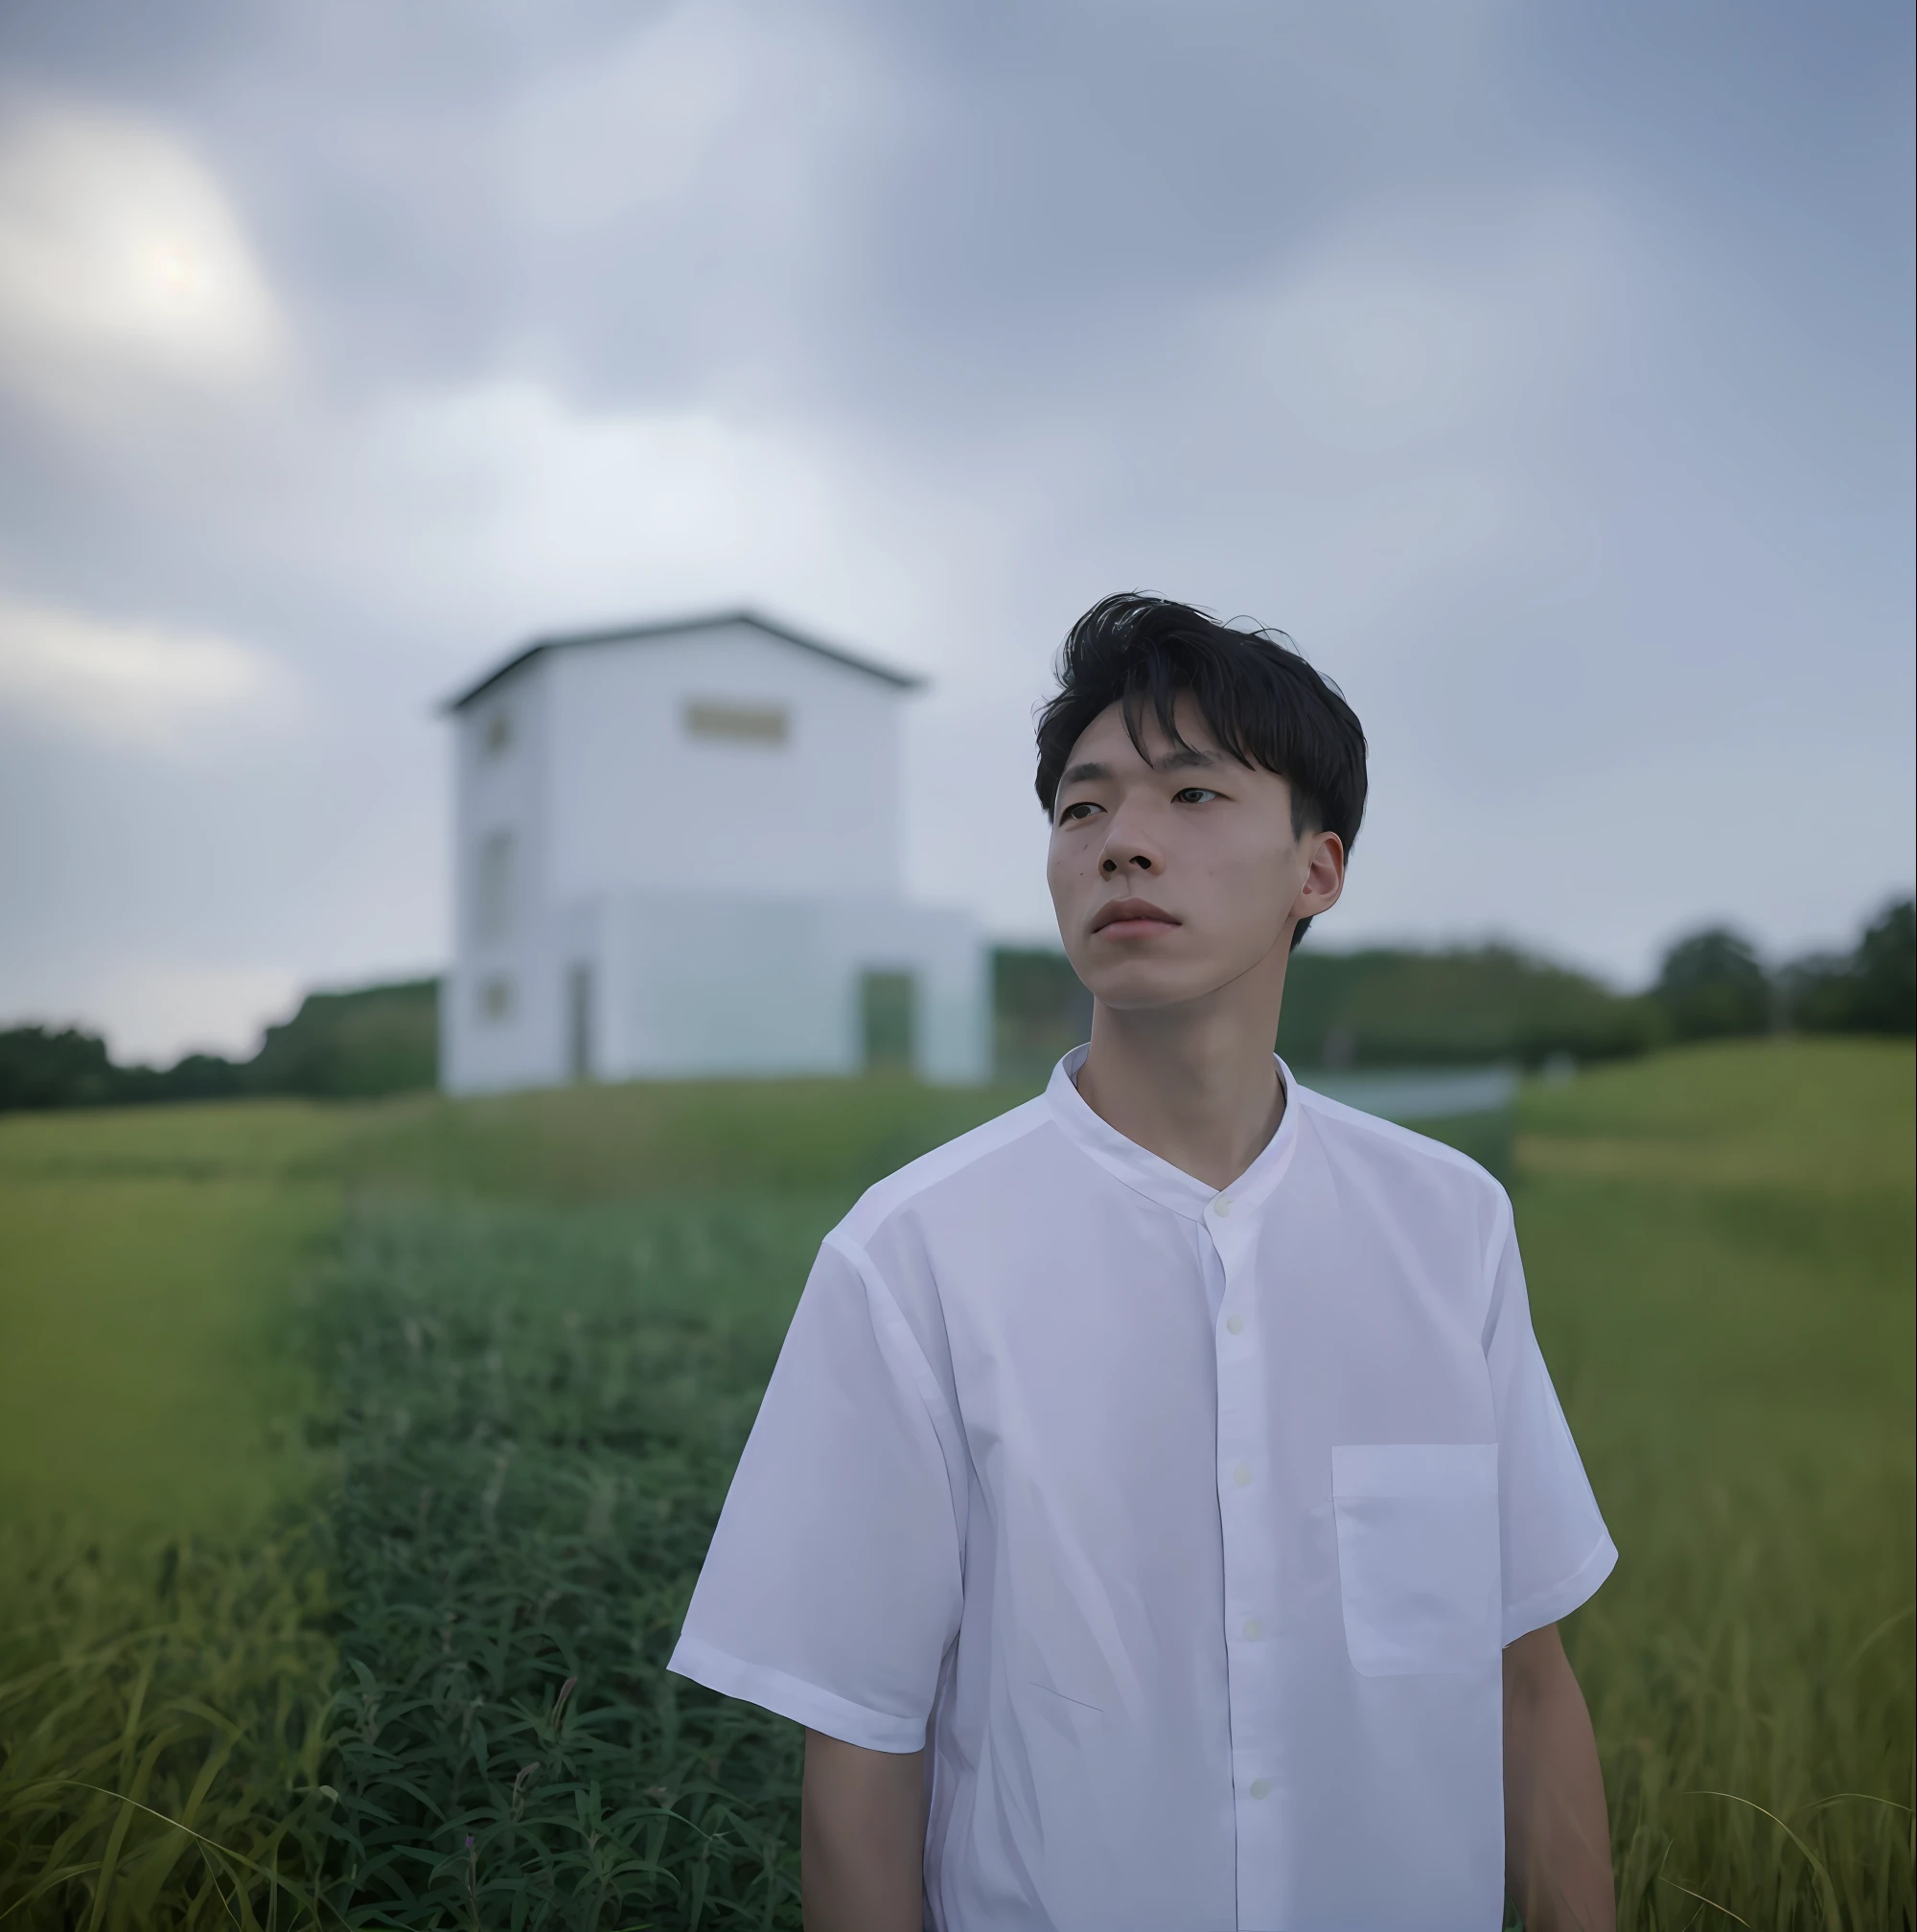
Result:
x=123 y=262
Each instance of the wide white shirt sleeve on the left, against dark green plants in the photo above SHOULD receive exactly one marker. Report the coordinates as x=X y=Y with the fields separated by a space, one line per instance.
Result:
x=832 y=1587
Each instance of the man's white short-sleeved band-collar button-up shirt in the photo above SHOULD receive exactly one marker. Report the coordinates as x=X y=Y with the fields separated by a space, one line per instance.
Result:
x=1197 y=1605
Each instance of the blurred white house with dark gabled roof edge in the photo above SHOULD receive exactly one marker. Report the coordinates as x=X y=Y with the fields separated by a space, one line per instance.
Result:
x=677 y=853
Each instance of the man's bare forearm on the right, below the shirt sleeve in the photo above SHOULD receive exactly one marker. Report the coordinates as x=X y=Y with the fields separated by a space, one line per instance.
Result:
x=1557 y=1833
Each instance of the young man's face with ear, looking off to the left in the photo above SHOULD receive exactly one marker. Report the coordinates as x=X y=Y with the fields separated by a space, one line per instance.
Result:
x=1176 y=872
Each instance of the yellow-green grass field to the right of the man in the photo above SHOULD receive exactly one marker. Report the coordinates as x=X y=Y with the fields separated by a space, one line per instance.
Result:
x=1721 y=1259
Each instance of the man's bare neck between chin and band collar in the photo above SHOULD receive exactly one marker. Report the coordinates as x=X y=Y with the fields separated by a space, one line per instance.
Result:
x=1195 y=1083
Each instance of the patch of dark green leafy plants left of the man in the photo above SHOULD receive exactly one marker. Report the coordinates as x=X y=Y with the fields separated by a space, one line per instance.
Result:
x=538 y=1421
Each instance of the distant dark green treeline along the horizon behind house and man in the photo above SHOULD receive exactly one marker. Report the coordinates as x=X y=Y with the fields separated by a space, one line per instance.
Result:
x=1379 y=1008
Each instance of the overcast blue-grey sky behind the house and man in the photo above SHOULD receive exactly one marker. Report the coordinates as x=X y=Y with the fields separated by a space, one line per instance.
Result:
x=1545 y=370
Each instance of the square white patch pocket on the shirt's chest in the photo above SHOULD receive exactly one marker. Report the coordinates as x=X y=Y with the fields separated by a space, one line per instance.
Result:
x=1417 y=1556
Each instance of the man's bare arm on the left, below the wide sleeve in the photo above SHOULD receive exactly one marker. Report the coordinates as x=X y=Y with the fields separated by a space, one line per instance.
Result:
x=863 y=1838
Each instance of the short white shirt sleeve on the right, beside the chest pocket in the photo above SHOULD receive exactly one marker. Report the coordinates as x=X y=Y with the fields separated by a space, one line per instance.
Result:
x=1557 y=1548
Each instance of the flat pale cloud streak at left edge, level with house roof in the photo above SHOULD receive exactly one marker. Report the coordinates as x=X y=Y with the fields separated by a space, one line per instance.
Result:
x=140 y=687
